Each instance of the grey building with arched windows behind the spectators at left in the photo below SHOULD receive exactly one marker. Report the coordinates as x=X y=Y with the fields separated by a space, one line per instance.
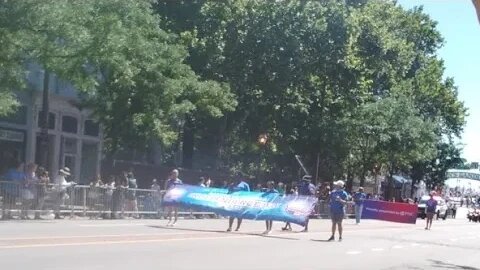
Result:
x=75 y=139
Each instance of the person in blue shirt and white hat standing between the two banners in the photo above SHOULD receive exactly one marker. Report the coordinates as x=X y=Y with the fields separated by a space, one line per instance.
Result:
x=338 y=199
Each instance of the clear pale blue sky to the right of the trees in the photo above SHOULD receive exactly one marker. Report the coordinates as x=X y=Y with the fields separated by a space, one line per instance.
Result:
x=460 y=28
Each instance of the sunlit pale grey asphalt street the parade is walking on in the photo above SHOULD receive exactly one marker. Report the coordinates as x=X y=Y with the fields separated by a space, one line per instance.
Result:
x=204 y=244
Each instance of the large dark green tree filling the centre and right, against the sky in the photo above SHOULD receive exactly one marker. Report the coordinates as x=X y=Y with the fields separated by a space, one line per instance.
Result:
x=301 y=69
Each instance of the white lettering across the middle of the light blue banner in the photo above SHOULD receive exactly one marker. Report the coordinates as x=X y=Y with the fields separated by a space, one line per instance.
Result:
x=234 y=202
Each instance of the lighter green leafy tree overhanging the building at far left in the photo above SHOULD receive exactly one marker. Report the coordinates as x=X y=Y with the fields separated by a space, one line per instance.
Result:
x=128 y=68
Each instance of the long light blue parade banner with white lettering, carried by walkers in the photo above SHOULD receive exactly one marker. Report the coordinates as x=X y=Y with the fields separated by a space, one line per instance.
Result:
x=243 y=204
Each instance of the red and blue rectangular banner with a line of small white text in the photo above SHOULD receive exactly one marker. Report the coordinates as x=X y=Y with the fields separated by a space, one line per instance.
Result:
x=390 y=211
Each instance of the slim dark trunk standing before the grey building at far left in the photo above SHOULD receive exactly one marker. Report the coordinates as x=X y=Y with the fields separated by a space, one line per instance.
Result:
x=43 y=147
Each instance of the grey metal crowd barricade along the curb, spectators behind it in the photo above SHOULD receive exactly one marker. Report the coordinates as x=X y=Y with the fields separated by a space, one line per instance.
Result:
x=17 y=200
